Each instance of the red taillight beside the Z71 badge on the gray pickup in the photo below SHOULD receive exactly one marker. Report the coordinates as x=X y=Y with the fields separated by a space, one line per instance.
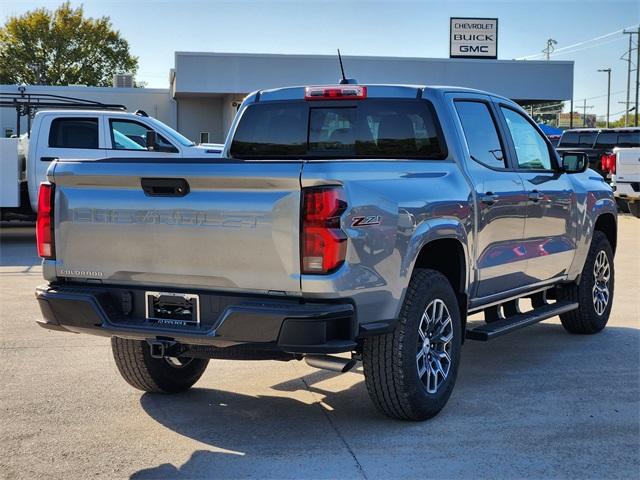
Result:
x=323 y=243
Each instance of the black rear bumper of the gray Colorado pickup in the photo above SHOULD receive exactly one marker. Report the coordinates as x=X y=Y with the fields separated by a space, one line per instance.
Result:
x=284 y=325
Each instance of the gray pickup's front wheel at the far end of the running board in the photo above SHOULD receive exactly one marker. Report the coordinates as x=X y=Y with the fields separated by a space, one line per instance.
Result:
x=594 y=309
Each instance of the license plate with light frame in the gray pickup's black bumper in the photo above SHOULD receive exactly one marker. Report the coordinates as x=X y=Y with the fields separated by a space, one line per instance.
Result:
x=169 y=309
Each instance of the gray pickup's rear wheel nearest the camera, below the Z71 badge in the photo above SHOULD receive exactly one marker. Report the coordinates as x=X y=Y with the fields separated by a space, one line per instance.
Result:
x=410 y=372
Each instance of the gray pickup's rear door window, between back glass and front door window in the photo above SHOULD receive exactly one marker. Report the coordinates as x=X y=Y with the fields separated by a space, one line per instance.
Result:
x=481 y=134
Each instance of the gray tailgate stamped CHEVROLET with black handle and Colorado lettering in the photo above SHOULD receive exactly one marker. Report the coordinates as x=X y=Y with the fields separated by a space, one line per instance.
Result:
x=236 y=228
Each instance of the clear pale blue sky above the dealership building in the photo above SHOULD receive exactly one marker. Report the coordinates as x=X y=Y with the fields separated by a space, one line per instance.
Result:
x=156 y=29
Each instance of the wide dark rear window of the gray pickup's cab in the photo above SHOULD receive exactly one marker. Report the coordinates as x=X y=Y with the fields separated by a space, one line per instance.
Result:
x=380 y=128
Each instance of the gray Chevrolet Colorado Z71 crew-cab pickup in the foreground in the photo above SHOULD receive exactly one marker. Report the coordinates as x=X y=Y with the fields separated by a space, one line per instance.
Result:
x=363 y=220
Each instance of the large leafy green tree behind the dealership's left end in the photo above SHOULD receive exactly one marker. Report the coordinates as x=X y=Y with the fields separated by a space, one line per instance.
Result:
x=62 y=47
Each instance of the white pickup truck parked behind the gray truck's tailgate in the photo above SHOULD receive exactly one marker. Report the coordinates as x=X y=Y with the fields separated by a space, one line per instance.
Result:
x=86 y=135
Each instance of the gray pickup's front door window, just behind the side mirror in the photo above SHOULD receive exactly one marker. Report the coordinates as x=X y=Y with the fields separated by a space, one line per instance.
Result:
x=532 y=152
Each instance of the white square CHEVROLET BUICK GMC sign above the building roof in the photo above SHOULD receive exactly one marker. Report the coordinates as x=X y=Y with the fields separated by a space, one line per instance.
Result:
x=473 y=38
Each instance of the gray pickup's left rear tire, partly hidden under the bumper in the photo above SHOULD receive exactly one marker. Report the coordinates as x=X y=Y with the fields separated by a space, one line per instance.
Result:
x=160 y=375
